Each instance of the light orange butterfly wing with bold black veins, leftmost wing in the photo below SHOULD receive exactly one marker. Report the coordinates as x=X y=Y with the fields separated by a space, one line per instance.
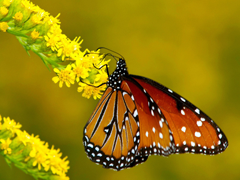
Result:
x=111 y=136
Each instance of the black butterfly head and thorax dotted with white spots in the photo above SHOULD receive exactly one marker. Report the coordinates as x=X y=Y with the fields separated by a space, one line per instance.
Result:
x=115 y=79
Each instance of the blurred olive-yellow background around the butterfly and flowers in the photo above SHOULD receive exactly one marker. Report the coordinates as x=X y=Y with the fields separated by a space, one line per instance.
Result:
x=192 y=47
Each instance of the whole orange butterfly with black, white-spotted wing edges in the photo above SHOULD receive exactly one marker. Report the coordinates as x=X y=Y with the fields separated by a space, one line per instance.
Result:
x=138 y=117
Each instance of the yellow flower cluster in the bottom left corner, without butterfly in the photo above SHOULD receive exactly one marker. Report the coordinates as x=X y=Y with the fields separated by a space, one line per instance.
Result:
x=29 y=153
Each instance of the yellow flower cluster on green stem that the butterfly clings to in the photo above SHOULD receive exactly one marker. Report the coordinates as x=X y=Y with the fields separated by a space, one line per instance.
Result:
x=40 y=32
